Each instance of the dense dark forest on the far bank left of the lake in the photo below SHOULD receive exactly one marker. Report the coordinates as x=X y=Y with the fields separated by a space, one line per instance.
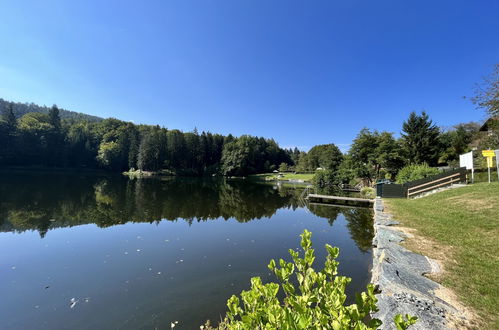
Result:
x=45 y=139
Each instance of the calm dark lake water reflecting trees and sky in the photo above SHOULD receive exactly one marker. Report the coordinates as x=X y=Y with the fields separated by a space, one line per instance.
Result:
x=139 y=254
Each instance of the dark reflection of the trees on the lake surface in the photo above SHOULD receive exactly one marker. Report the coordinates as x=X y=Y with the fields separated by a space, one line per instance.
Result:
x=41 y=203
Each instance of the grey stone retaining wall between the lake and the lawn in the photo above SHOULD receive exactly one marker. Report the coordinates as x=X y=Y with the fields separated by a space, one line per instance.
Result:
x=399 y=276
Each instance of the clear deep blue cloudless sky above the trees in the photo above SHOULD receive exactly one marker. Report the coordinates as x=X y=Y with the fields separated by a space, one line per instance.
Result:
x=302 y=72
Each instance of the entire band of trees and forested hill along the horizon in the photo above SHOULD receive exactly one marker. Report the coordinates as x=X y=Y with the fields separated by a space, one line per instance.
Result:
x=49 y=137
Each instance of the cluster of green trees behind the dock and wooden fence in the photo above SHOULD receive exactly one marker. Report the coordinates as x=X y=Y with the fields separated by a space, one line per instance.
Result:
x=377 y=155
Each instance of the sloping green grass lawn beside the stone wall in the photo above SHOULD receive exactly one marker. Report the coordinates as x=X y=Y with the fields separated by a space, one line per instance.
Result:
x=463 y=224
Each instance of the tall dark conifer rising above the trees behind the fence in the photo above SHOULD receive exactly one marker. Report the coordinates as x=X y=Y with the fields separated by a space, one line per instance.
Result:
x=420 y=139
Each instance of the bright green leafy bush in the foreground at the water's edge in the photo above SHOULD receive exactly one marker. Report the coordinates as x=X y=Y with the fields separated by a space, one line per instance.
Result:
x=312 y=300
